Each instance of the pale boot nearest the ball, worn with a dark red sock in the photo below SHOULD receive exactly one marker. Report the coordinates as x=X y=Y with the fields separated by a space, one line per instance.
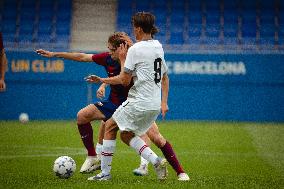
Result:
x=92 y=163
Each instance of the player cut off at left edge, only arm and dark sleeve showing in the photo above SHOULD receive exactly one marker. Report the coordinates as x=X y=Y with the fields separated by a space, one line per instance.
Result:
x=3 y=65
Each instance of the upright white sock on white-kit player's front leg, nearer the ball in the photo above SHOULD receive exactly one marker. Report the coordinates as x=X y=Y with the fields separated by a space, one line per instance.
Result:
x=107 y=153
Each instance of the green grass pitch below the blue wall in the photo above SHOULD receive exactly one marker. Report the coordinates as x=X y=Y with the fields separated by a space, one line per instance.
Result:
x=215 y=154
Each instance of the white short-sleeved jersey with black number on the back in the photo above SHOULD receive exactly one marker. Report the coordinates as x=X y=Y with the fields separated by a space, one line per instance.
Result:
x=145 y=60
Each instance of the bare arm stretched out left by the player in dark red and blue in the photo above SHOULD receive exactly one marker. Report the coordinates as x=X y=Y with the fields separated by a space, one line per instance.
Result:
x=80 y=57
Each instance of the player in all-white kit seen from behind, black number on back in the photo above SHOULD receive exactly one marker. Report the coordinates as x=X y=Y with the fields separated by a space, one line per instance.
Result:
x=146 y=65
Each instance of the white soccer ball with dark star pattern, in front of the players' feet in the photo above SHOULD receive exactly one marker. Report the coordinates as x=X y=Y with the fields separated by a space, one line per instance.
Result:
x=64 y=167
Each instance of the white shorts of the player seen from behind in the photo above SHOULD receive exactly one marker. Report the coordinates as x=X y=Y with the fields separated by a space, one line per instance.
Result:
x=129 y=118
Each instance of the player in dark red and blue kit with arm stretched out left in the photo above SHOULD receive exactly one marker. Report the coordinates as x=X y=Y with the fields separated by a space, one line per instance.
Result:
x=100 y=110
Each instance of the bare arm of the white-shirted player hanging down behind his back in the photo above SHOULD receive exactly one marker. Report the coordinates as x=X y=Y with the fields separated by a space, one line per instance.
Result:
x=165 y=93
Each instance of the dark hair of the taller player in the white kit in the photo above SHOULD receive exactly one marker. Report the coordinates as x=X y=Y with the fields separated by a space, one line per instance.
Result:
x=146 y=21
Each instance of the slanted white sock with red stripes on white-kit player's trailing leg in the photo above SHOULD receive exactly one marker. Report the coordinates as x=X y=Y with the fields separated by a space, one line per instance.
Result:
x=142 y=149
